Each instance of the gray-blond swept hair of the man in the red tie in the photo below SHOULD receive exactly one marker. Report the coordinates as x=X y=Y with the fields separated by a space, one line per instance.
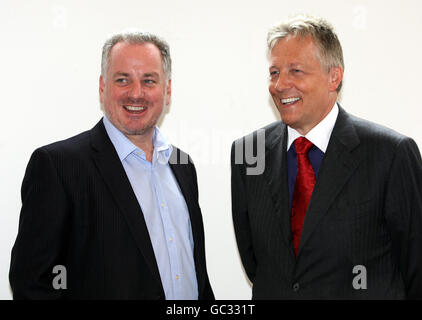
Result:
x=330 y=51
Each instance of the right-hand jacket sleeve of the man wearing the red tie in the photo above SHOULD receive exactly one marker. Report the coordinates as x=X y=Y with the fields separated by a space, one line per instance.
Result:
x=404 y=214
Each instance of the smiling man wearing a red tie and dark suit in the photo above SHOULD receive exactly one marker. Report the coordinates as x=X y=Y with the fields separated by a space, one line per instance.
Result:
x=337 y=210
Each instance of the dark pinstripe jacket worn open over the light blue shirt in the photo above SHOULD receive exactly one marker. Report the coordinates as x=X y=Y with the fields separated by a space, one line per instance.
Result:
x=80 y=211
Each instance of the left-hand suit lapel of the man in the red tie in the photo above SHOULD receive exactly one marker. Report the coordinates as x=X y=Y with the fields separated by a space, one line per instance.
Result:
x=276 y=177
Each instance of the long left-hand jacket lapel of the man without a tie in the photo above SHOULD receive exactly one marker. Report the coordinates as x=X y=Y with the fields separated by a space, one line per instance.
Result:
x=114 y=175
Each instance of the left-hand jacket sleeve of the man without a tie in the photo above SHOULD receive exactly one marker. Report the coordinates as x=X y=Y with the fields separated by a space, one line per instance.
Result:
x=42 y=230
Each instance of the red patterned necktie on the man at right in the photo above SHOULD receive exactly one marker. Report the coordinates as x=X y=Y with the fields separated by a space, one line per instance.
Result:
x=305 y=182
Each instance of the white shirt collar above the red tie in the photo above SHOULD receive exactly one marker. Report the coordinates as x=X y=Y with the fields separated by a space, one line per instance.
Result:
x=320 y=134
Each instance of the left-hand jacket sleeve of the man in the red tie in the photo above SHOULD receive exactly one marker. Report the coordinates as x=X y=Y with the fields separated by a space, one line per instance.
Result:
x=240 y=217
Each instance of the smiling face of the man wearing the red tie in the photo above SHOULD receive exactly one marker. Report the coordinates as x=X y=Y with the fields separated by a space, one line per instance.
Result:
x=302 y=89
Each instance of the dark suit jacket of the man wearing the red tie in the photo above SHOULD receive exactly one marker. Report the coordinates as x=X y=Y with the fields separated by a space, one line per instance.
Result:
x=366 y=209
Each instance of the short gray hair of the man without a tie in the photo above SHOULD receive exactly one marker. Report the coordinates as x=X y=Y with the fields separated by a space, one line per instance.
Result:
x=136 y=37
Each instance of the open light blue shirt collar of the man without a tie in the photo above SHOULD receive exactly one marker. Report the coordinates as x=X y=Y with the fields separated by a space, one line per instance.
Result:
x=124 y=147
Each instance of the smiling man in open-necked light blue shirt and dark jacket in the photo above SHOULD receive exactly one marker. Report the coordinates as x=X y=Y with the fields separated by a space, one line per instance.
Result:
x=113 y=212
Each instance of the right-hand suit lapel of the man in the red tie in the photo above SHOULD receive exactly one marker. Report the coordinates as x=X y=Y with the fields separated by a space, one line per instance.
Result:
x=337 y=167
